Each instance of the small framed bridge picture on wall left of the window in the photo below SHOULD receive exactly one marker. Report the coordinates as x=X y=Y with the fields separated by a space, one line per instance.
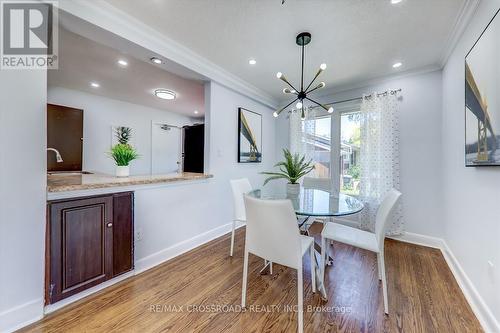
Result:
x=249 y=136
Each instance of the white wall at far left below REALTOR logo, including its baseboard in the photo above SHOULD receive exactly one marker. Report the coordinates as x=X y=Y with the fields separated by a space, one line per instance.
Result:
x=22 y=195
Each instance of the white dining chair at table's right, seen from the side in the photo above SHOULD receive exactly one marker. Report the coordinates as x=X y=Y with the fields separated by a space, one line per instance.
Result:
x=363 y=239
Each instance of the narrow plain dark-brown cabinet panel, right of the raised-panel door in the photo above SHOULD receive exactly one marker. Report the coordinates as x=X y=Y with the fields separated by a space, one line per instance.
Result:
x=123 y=232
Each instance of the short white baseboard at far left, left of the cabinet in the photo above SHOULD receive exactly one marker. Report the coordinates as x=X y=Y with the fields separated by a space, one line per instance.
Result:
x=20 y=316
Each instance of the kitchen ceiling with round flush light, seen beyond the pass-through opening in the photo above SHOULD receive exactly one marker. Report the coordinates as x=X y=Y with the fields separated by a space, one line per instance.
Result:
x=82 y=61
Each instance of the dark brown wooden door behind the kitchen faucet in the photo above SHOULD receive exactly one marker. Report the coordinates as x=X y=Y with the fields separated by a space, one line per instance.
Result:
x=64 y=133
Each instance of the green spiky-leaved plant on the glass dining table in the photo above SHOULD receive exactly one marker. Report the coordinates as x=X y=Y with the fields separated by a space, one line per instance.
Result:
x=292 y=168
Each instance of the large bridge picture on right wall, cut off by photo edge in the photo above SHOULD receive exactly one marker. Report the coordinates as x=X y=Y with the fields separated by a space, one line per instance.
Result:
x=482 y=98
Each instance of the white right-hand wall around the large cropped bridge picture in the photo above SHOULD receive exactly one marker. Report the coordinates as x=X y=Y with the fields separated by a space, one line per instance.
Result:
x=471 y=195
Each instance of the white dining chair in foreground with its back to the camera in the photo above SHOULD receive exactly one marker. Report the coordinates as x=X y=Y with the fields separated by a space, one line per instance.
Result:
x=272 y=233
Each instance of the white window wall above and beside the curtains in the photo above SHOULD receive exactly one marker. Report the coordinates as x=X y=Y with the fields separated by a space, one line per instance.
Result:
x=420 y=146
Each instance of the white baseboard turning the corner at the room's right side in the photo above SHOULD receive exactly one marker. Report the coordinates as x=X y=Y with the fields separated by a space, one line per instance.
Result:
x=476 y=302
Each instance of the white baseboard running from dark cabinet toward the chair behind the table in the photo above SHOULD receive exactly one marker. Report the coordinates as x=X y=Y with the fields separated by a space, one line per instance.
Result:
x=161 y=256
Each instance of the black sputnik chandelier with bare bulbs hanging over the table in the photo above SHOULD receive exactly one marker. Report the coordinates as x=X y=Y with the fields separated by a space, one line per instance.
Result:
x=302 y=40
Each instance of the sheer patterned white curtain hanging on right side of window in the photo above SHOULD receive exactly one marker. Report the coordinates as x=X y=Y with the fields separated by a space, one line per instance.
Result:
x=379 y=157
